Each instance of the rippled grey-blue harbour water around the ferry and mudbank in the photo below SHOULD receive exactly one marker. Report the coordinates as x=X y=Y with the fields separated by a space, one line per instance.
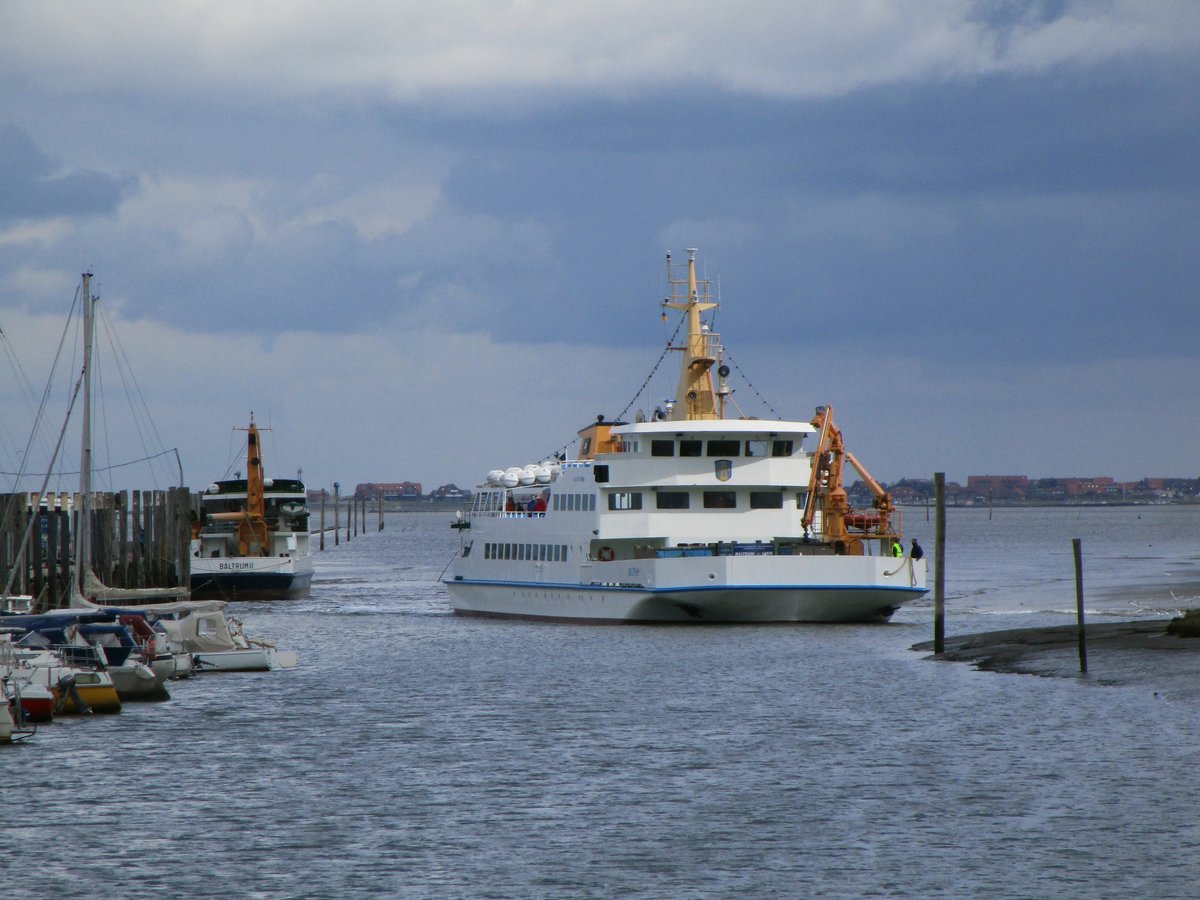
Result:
x=417 y=754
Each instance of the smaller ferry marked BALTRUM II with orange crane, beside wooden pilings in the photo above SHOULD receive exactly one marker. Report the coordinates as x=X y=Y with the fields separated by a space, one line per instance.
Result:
x=251 y=539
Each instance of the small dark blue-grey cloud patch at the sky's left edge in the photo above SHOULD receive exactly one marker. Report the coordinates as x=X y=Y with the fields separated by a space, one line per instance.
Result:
x=32 y=187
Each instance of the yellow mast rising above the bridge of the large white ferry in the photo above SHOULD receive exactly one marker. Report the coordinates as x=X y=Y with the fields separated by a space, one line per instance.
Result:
x=695 y=397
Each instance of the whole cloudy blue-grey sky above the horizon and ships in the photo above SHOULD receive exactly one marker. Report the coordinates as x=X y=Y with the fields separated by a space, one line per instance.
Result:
x=423 y=241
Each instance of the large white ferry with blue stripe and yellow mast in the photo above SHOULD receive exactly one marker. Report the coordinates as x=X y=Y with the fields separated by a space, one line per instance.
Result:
x=686 y=517
